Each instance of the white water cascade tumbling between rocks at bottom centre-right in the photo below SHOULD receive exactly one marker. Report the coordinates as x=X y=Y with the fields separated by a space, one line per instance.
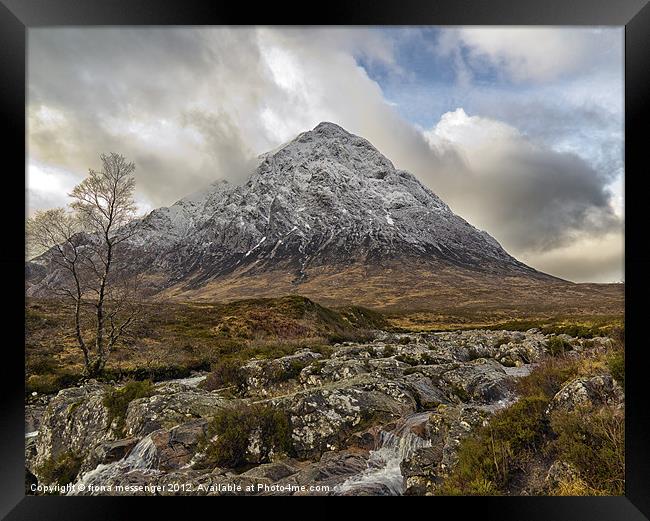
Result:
x=384 y=462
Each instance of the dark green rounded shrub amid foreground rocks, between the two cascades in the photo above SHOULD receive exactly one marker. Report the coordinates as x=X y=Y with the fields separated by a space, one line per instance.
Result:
x=232 y=430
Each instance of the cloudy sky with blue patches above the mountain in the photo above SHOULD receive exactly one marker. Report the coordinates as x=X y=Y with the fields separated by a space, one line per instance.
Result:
x=519 y=130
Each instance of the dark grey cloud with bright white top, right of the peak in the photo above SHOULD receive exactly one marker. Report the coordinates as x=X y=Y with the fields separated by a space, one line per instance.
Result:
x=527 y=195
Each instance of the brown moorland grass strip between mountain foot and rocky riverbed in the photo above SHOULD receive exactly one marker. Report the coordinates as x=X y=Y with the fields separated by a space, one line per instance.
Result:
x=172 y=338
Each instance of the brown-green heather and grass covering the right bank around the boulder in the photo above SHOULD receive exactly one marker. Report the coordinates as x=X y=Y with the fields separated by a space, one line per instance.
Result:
x=495 y=458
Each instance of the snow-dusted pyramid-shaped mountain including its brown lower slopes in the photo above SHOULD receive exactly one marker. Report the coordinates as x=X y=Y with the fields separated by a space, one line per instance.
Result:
x=328 y=216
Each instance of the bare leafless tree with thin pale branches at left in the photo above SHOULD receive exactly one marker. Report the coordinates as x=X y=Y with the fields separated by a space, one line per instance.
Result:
x=85 y=241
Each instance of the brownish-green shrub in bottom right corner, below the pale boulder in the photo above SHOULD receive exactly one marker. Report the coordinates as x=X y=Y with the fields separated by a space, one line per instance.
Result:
x=593 y=441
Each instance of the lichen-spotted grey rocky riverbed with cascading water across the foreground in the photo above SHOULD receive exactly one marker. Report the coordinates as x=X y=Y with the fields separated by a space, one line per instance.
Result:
x=378 y=418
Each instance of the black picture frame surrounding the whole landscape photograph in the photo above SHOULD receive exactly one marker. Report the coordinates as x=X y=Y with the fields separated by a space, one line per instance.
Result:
x=17 y=16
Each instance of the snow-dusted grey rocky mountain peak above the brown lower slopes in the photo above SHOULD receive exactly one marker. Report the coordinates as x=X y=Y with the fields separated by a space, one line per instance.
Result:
x=325 y=199
